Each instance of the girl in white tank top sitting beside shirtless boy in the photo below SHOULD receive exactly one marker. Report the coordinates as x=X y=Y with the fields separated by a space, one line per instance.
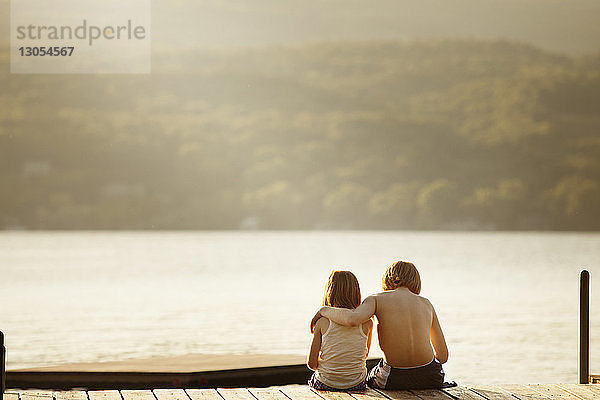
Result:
x=343 y=349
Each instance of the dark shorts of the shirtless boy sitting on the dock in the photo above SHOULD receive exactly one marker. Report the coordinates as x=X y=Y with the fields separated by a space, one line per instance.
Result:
x=384 y=376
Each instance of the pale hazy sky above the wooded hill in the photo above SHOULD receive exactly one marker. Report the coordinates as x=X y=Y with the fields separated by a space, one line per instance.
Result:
x=556 y=25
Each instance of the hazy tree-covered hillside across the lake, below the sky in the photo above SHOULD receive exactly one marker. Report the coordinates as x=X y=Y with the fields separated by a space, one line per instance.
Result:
x=369 y=135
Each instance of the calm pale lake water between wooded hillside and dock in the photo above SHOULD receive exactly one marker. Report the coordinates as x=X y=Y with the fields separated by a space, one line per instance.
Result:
x=507 y=301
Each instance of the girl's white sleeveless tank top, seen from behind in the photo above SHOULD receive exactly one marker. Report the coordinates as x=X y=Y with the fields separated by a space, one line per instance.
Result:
x=343 y=356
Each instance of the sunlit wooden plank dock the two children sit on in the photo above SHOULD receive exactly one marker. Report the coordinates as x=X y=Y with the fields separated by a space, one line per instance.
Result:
x=303 y=392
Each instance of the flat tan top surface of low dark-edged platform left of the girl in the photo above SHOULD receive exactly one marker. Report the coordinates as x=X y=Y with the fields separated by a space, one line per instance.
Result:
x=183 y=363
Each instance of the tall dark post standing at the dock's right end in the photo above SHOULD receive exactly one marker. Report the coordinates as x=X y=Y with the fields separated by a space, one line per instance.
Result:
x=584 y=327
